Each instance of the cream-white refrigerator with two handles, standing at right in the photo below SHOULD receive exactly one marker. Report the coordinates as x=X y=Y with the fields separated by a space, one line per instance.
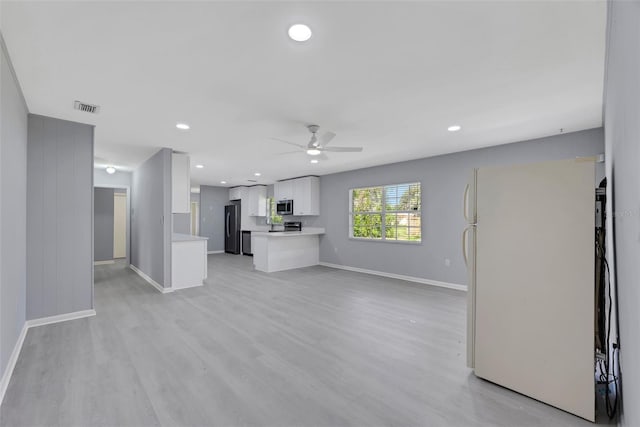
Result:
x=529 y=249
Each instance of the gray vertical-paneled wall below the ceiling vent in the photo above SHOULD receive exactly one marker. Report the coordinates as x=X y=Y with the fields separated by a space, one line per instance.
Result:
x=59 y=217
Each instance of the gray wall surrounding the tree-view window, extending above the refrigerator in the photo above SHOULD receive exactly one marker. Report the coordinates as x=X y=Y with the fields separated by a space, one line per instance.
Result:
x=443 y=181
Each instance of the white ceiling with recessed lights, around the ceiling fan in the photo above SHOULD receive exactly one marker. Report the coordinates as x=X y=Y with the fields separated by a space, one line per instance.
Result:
x=389 y=76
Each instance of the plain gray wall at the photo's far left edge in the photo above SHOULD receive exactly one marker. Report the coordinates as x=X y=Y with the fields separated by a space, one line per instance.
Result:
x=13 y=206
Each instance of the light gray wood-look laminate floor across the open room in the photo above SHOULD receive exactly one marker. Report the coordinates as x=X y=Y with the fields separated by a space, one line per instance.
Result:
x=308 y=347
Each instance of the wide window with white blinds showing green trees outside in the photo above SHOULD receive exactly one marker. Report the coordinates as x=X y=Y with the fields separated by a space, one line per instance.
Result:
x=386 y=213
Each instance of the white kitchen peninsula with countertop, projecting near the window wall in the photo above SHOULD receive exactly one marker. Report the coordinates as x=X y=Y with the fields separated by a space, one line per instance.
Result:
x=286 y=250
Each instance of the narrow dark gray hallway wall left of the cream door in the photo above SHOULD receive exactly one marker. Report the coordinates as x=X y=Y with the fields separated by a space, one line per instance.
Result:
x=102 y=224
